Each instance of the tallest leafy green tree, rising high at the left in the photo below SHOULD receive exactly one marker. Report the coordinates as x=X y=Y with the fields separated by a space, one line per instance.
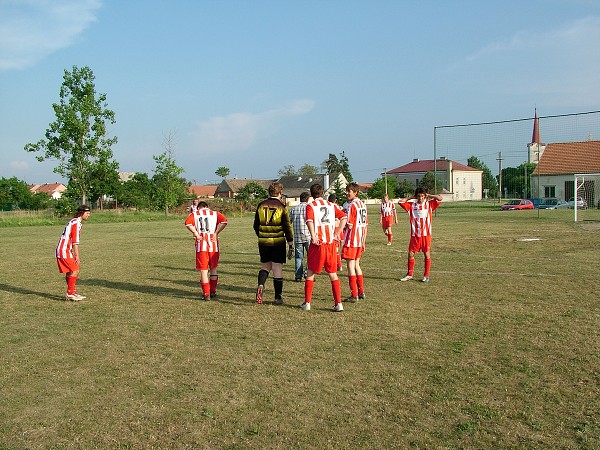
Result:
x=78 y=138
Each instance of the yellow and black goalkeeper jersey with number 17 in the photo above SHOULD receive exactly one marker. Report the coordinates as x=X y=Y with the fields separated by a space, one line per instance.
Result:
x=272 y=223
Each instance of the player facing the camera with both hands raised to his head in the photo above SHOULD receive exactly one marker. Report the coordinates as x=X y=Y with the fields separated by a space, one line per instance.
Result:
x=420 y=208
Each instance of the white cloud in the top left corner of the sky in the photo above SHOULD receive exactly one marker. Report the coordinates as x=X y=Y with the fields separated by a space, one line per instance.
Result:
x=33 y=29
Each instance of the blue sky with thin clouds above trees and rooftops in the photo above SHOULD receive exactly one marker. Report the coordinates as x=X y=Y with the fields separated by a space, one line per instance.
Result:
x=257 y=85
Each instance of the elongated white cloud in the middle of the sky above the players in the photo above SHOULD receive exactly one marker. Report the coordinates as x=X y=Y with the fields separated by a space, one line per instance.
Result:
x=239 y=131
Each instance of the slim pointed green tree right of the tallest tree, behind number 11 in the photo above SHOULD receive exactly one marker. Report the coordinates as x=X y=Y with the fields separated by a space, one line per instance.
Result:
x=171 y=189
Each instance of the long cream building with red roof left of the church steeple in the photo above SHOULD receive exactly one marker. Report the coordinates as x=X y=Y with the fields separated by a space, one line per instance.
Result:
x=463 y=182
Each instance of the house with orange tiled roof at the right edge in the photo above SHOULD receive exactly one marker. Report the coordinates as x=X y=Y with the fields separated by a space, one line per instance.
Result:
x=556 y=169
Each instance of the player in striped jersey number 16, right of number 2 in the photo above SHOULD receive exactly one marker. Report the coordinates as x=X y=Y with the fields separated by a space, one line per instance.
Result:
x=355 y=237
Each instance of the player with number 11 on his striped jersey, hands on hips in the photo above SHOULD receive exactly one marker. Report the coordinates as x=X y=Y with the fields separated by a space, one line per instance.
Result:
x=206 y=224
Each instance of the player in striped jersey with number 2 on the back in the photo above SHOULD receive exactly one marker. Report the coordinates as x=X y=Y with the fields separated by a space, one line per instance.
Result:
x=322 y=251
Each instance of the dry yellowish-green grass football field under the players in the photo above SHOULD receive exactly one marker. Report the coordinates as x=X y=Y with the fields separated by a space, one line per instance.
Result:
x=500 y=350
